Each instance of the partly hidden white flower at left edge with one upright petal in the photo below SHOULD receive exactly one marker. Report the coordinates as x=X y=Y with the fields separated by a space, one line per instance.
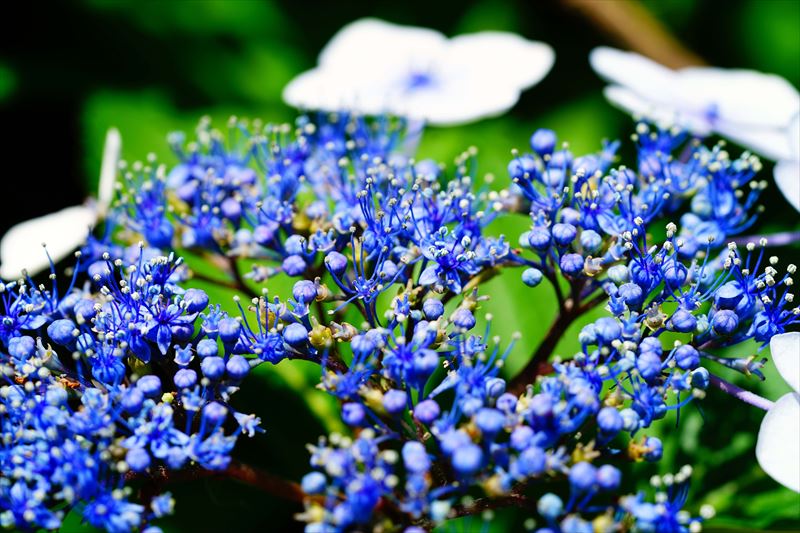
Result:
x=62 y=231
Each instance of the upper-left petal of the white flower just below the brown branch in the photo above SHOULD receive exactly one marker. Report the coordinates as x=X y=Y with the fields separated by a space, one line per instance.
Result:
x=643 y=76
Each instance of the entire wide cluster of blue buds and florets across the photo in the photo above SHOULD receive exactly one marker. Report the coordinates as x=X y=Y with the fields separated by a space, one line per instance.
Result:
x=132 y=372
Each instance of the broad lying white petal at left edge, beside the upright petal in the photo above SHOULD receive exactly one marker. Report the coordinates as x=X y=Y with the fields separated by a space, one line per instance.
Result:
x=63 y=231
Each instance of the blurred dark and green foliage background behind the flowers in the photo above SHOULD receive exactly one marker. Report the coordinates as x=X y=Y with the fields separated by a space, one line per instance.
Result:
x=69 y=70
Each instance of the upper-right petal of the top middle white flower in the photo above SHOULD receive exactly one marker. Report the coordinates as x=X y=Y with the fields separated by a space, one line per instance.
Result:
x=506 y=58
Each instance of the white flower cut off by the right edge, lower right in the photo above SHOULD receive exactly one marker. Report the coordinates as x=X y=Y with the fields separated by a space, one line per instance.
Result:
x=778 y=447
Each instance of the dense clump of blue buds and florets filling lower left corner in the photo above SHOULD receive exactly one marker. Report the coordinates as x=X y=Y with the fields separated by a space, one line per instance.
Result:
x=102 y=386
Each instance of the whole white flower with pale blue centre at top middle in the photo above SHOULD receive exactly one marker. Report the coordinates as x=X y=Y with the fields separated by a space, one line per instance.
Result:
x=371 y=67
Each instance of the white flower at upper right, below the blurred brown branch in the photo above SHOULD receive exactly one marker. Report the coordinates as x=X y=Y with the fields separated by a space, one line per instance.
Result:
x=753 y=109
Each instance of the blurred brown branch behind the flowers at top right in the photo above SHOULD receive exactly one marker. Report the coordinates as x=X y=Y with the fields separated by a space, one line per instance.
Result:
x=630 y=24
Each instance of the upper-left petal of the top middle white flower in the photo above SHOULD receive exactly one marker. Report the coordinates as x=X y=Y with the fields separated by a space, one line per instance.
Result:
x=375 y=44
